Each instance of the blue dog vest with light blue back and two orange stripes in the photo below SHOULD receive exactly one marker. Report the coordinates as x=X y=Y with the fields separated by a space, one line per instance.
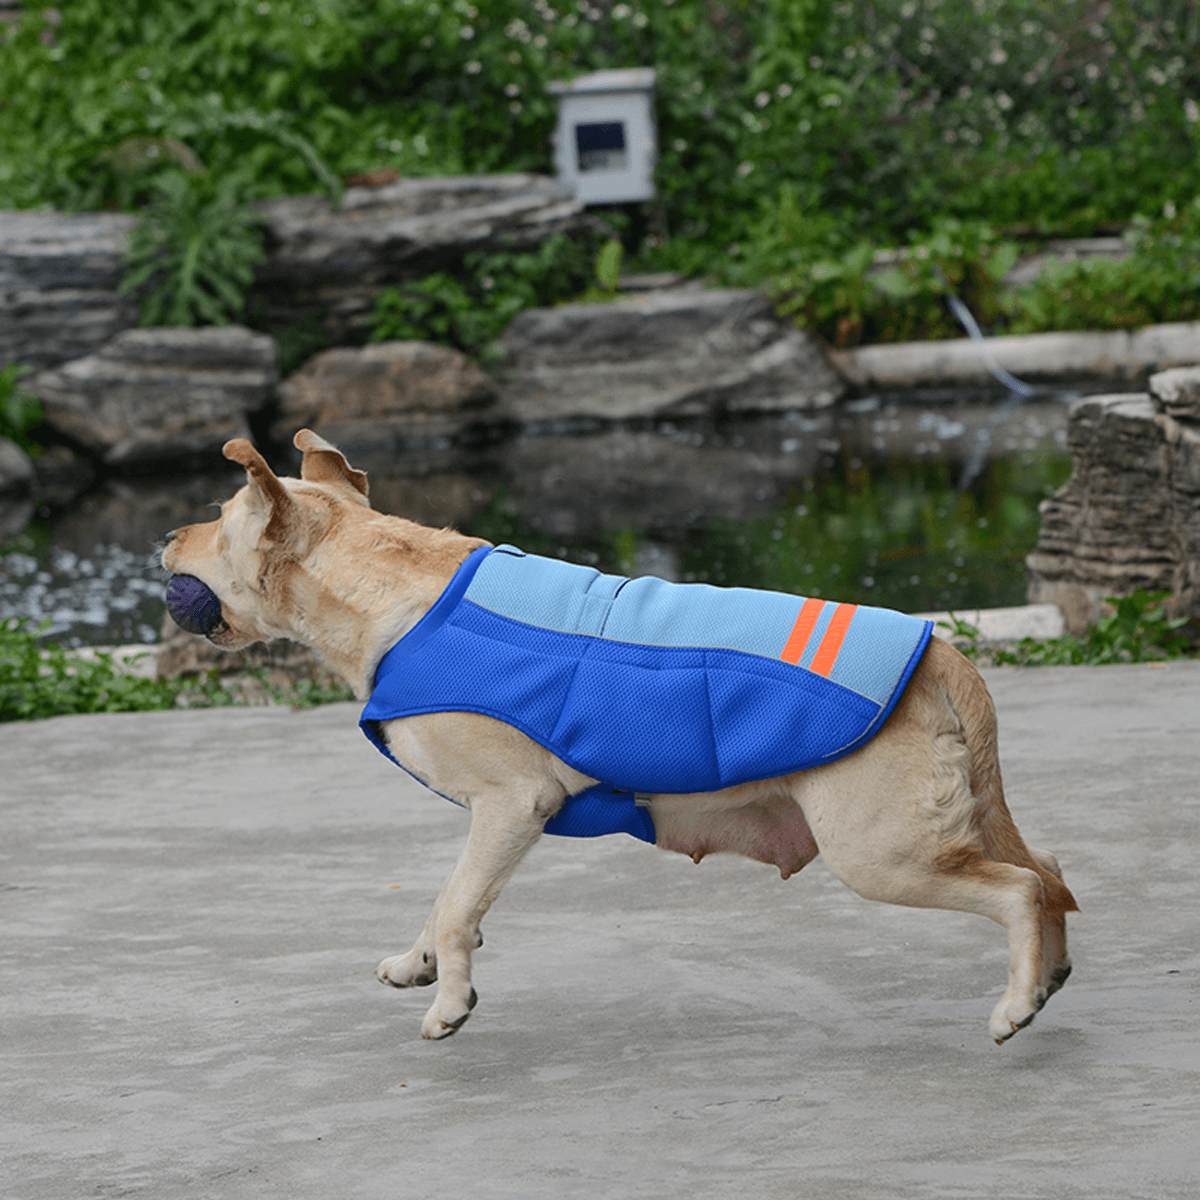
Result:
x=647 y=686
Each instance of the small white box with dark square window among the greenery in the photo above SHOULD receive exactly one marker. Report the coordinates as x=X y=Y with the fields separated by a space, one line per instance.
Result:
x=607 y=143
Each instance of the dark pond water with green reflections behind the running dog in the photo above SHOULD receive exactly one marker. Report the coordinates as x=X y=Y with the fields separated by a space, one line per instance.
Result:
x=916 y=506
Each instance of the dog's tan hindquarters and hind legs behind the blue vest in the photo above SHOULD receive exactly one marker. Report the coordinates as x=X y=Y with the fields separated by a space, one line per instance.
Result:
x=917 y=818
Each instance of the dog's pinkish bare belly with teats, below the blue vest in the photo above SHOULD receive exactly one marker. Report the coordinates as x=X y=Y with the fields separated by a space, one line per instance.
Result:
x=759 y=821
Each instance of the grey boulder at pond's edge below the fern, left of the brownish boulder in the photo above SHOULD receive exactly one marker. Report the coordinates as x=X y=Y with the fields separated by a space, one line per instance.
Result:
x=154 y=395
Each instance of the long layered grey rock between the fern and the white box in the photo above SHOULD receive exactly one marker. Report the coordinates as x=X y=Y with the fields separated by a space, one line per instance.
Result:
x=334 y=265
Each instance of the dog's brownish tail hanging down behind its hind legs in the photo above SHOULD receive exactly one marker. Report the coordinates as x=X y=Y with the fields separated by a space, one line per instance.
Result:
x=1001 y=841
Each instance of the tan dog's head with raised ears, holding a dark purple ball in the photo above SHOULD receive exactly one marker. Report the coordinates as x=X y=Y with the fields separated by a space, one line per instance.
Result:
x=237 y=579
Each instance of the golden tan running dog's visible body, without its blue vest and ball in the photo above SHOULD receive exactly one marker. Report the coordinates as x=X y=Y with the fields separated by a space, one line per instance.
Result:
x=915 y=818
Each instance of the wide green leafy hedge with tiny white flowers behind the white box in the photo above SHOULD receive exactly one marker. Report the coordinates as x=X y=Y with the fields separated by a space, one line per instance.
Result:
x=1054 y=115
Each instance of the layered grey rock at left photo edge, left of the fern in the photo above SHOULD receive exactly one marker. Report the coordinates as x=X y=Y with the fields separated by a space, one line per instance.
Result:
x=59 y=275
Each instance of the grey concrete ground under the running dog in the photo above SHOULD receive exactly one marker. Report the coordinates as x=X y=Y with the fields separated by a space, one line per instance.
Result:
x=194 y=904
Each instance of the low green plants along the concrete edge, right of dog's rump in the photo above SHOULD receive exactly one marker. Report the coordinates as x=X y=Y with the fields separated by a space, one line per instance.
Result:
x=1138 y=631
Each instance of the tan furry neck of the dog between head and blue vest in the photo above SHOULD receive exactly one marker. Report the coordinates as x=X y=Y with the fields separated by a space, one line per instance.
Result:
x=353 y=619
